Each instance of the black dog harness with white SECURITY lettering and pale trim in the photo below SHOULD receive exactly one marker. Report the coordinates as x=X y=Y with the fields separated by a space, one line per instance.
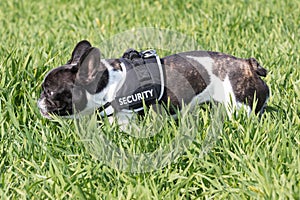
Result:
x=144 y=83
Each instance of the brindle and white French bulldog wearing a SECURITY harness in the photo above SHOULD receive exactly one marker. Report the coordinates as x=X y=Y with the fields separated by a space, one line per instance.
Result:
x=87 y=83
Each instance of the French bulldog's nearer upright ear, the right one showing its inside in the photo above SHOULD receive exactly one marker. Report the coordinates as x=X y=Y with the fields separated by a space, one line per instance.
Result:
x=89 y=66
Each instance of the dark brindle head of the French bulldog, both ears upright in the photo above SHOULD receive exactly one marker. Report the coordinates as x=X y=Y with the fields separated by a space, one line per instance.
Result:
x=66 y=89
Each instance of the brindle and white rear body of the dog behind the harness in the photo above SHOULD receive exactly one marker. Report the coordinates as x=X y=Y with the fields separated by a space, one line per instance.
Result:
x=212 y=74
